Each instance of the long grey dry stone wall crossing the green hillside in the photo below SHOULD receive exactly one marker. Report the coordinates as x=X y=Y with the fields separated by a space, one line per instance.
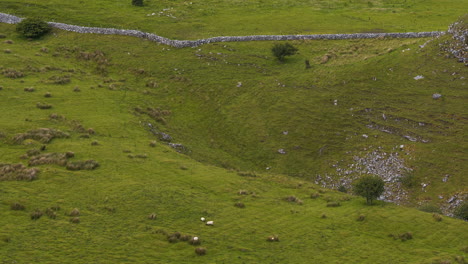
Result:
x=10 y=19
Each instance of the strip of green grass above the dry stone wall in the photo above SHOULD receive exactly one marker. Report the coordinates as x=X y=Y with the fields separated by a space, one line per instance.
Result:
x=201 y=19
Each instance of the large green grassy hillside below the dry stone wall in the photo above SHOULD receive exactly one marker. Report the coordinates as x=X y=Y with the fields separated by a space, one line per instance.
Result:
x=104 y=90
